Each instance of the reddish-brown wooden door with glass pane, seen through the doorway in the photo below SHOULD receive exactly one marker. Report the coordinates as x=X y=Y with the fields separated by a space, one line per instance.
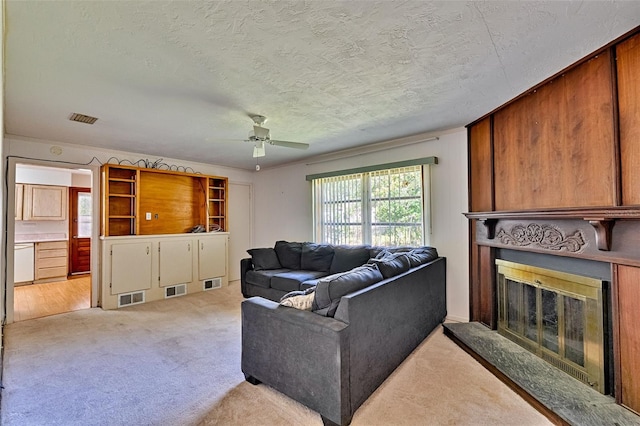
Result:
x=80 y=230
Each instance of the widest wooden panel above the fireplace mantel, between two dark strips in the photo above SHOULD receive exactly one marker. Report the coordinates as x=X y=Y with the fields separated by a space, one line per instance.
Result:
x=555 y=147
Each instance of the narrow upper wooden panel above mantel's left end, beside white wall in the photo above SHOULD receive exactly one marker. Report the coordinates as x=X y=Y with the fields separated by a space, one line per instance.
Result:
x=480 y=167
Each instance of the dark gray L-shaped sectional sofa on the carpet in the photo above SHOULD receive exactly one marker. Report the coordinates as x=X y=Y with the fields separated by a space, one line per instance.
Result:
x=364 y=321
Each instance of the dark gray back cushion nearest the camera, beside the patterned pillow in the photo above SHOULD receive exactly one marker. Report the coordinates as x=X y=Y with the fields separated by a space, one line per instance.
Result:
x=330 y=289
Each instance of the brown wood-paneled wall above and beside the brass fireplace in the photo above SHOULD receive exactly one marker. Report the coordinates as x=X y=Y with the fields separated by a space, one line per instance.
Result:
x=572 y=142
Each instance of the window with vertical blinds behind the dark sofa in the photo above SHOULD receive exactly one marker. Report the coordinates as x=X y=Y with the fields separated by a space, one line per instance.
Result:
x=379 y=207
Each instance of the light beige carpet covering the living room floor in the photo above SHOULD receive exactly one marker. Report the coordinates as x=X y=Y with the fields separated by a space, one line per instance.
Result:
x=177 y=362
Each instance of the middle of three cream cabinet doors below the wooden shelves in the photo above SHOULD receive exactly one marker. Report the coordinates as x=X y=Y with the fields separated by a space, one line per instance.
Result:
x=176 y=262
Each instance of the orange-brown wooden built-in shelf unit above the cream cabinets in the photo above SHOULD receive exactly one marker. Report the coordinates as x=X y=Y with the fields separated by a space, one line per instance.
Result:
x=140 y=201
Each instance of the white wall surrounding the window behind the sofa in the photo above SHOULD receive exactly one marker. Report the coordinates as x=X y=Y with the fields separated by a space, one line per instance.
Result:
x=283 y=203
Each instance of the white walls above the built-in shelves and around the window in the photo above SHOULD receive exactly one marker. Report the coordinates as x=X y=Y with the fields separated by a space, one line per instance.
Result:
x=282 y=196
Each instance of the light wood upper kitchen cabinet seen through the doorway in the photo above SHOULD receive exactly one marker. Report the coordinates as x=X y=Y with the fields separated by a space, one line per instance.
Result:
x=44 y=202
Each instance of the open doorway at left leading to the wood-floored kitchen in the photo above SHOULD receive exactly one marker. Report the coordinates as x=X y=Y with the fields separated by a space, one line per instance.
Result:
x=68 y=238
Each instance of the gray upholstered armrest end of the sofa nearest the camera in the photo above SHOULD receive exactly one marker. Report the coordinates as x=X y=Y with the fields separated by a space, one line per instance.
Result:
x=299 y=353
